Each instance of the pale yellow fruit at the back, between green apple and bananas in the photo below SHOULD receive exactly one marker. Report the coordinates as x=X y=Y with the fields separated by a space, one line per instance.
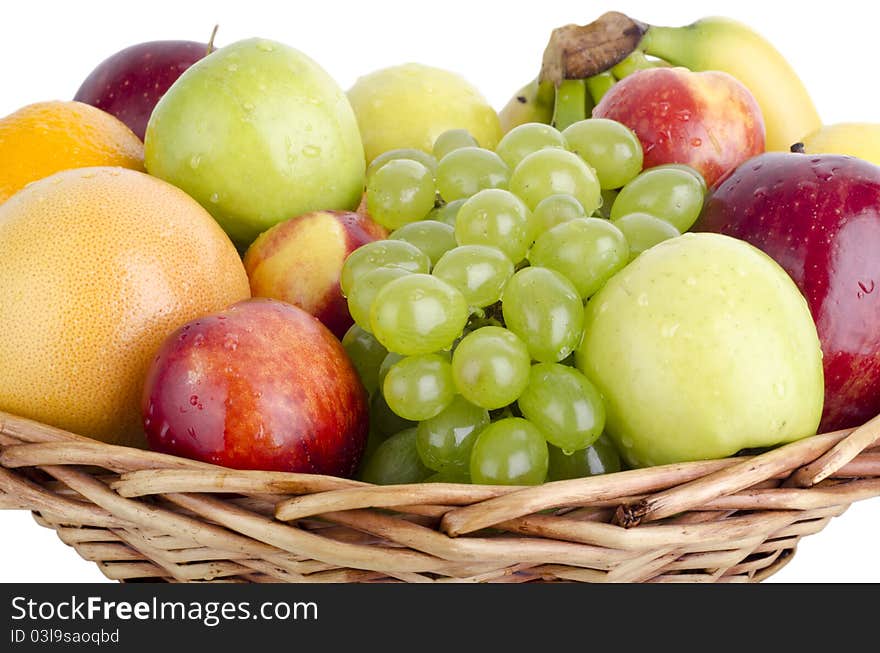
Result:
x=409 y=106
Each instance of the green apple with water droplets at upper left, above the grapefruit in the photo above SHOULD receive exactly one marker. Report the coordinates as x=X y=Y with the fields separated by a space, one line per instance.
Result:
x=258 y=133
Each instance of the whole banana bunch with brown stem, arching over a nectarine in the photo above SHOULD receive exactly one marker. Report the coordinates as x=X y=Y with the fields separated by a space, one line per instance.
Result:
x=615 y=45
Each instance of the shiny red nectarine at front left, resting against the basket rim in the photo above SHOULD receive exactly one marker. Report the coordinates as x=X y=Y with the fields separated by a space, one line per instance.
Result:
x=262 y=385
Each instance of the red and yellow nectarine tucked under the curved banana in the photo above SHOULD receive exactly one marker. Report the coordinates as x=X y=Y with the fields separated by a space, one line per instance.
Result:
x=707 y=120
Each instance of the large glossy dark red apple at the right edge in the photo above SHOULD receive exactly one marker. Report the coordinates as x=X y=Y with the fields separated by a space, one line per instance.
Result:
x=819 y=217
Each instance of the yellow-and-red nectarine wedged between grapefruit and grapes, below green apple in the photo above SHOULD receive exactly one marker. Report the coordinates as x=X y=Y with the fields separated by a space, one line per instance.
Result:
x=298 y=261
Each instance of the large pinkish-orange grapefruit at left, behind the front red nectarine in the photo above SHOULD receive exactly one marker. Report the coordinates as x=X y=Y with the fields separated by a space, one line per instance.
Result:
x=97 y=267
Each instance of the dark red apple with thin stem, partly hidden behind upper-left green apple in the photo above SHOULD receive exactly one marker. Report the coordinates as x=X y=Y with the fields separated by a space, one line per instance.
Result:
x=128 y=84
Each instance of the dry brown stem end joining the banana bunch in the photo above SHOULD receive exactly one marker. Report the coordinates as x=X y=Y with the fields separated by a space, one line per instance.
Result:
x=582 y=51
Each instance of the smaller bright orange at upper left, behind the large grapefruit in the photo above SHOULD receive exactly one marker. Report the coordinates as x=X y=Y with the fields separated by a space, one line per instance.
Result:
x=43 y=138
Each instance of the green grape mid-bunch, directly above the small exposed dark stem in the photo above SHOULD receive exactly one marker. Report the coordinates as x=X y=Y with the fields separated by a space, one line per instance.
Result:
x=478 y=271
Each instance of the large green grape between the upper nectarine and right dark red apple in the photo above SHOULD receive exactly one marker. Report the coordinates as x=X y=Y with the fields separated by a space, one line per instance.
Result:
x=671 y=194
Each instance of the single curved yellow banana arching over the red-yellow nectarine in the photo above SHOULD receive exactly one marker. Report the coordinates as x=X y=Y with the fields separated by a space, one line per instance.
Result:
x=732 y=47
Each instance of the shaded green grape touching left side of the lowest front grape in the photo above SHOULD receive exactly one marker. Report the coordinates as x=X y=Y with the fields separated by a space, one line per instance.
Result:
x=445 y=441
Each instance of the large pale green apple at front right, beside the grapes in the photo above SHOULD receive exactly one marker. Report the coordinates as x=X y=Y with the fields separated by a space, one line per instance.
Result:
x=701 y=347
